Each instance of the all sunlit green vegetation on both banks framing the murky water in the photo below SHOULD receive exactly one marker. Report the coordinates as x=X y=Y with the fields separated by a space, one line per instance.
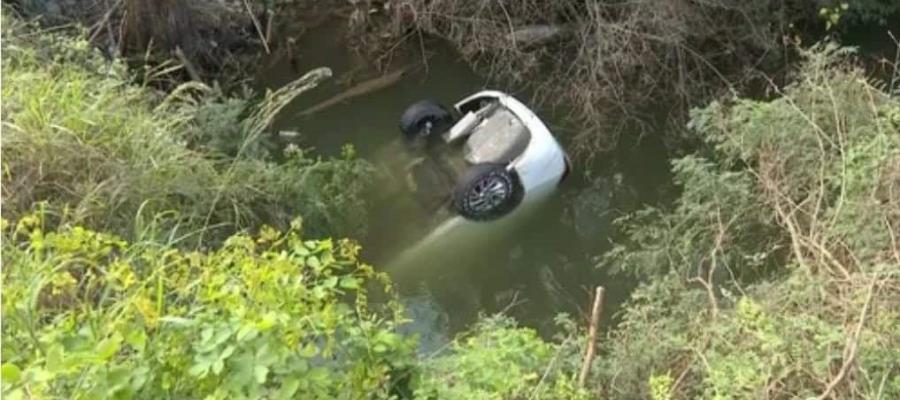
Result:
x=128 y=273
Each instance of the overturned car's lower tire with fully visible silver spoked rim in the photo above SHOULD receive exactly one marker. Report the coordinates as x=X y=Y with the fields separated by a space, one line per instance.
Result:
x=487 y=191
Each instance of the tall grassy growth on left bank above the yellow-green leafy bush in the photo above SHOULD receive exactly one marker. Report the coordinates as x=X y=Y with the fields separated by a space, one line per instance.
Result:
x=106 y=153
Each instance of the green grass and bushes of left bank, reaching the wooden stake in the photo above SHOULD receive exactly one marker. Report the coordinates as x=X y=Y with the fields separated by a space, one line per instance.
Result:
x=151 y=309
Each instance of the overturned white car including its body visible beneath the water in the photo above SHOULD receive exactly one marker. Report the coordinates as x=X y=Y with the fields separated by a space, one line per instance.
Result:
x=479 y=175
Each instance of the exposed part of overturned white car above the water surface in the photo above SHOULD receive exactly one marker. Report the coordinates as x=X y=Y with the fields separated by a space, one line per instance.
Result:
x=488 y=158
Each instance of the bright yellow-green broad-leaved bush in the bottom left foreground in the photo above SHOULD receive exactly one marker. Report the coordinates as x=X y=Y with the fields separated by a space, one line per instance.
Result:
x=89 y=315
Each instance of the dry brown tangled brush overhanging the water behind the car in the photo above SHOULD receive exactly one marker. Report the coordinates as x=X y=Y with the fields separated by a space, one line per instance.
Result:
x=606 y=66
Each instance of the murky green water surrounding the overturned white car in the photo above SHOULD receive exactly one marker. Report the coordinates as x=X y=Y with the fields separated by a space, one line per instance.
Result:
x=533 y=269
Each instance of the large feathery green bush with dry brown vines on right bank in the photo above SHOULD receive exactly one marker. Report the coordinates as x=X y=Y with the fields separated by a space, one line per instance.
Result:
x=804 y=184
